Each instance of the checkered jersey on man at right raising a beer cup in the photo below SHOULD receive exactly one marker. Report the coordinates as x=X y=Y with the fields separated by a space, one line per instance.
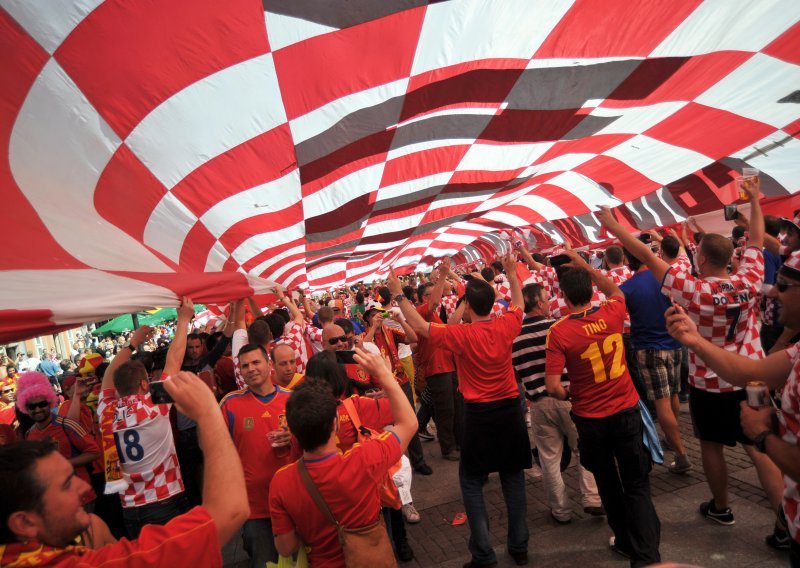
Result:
x=725 y=312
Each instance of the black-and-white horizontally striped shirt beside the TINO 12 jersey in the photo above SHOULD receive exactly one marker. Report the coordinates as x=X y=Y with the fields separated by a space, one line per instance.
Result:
x=528 y=355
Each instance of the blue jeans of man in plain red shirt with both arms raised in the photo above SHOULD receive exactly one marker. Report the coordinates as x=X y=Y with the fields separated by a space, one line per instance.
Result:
x=513 y=484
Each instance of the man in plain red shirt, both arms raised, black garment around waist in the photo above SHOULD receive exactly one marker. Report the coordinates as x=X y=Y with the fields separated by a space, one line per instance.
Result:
x=495 y=435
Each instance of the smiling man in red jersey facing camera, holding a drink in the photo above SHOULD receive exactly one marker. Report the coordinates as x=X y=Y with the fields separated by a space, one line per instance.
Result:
x=256 y=419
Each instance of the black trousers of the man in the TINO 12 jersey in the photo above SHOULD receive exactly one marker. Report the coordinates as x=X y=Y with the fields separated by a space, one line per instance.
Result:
x=612 y=449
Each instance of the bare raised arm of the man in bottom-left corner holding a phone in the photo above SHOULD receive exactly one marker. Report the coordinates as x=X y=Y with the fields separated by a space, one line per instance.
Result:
x=224 y=493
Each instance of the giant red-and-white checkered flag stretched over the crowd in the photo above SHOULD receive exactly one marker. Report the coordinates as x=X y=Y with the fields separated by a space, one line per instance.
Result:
x=156 y=149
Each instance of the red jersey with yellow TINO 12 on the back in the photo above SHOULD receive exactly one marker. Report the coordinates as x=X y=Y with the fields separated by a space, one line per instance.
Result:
x=589 y=344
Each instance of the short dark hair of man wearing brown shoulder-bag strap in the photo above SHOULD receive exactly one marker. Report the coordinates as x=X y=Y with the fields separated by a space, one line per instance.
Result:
x=310 y=412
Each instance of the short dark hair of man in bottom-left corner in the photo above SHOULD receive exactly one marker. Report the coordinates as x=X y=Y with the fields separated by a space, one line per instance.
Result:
x=23 y=491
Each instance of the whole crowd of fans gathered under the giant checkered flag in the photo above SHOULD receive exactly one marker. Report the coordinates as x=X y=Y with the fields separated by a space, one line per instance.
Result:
x=292 y=420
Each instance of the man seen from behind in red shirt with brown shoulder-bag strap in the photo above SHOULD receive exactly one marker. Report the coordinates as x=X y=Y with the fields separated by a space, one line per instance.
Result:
x=347 y=482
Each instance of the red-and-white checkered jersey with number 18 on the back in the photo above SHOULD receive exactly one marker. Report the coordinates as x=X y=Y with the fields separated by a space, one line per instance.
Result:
x=145 y=445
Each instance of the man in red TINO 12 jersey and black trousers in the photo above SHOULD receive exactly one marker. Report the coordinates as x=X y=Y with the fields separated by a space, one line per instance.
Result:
x=605 y=407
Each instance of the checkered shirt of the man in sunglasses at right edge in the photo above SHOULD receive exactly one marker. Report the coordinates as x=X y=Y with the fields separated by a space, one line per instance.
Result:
x=789 y=429
